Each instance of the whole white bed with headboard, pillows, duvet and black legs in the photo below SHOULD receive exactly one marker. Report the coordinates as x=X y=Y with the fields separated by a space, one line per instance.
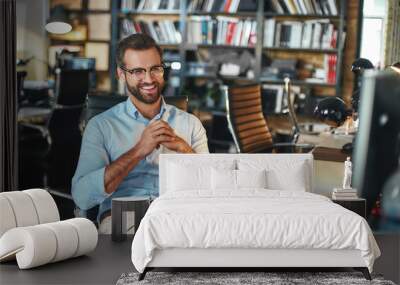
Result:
x=214 y=211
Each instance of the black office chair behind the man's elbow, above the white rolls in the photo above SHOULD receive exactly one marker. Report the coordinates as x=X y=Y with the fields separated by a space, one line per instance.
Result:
x=52 y=151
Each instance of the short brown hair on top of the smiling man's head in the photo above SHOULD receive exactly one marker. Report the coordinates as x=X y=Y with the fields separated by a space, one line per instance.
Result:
x=135 y=42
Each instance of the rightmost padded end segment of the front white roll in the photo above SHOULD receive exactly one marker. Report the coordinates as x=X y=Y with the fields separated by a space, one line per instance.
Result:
x=87 y=234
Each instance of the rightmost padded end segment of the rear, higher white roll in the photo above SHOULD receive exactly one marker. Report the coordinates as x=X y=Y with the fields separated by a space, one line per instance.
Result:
x=45 y=206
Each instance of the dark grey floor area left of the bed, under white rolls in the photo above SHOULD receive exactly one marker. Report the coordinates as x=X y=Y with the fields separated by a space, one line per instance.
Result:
x=102 y=266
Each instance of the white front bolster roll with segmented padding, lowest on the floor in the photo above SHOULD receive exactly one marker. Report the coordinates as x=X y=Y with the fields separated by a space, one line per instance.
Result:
x=40 y=244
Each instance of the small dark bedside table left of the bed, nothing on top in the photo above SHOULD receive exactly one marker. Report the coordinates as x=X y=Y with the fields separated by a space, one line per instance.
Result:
x=119 y=207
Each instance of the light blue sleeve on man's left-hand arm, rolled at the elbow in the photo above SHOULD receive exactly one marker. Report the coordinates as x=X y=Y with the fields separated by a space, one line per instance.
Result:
x=88 y=182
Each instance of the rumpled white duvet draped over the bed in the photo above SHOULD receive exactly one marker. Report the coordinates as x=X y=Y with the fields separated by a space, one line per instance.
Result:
x=253 y=218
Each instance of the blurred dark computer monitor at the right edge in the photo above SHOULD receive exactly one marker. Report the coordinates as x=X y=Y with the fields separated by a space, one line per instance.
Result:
x=377 y=148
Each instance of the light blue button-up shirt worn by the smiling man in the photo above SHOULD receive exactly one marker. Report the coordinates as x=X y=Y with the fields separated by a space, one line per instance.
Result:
x=112 y=133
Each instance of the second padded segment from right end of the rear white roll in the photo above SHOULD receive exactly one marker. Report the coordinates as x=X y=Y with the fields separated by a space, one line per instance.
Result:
x=23 y=208
